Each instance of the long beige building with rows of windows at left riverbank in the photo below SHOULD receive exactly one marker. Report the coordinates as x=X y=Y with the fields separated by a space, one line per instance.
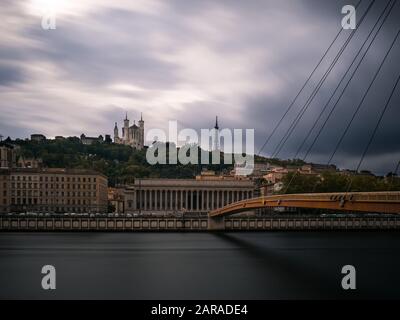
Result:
x=52 y=190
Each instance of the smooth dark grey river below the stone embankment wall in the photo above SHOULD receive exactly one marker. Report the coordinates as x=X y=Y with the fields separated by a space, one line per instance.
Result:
x=264 y=265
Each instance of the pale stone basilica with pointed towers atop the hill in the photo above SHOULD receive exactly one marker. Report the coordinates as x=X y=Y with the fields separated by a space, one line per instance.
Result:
x=131 y=135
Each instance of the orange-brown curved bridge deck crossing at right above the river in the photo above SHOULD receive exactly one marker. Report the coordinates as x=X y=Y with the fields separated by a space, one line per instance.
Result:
x=368 y=202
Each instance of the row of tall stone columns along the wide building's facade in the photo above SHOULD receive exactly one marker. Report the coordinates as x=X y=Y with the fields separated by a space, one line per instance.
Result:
x=186 y=200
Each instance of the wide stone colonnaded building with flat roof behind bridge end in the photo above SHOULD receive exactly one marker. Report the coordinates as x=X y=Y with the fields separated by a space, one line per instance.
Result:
x=205 y=193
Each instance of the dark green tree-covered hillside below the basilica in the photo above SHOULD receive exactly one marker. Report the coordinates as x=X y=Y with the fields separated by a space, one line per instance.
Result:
x=119 y=163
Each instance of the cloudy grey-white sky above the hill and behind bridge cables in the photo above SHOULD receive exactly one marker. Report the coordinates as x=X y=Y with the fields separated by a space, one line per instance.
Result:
x=190 y=60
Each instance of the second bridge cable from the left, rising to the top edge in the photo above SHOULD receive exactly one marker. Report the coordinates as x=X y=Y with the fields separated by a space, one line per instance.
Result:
x=295 y=122
